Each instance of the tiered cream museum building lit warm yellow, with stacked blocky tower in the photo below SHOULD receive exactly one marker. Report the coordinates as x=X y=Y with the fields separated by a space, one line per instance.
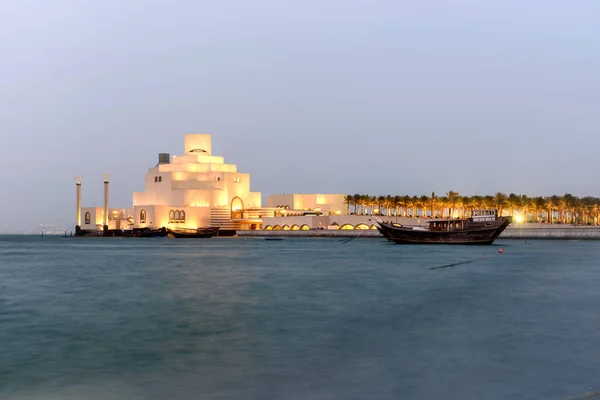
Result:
x=193 y=190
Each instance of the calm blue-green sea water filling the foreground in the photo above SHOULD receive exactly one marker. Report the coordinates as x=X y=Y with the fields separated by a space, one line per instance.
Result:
x=231 y=318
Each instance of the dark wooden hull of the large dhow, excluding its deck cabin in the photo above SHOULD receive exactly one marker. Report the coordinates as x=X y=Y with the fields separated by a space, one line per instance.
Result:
x=478 y=234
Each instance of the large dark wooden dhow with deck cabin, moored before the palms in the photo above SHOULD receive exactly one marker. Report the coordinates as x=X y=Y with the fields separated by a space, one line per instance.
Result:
x=483 y=227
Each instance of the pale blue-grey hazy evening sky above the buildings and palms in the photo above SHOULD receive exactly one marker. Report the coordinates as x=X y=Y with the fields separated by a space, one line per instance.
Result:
x=313 y=96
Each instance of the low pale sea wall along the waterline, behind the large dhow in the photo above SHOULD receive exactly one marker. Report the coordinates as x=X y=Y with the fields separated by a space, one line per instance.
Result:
x=537 y=231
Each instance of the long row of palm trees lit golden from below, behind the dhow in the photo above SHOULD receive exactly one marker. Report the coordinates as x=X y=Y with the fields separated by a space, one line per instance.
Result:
x=566 y=209
